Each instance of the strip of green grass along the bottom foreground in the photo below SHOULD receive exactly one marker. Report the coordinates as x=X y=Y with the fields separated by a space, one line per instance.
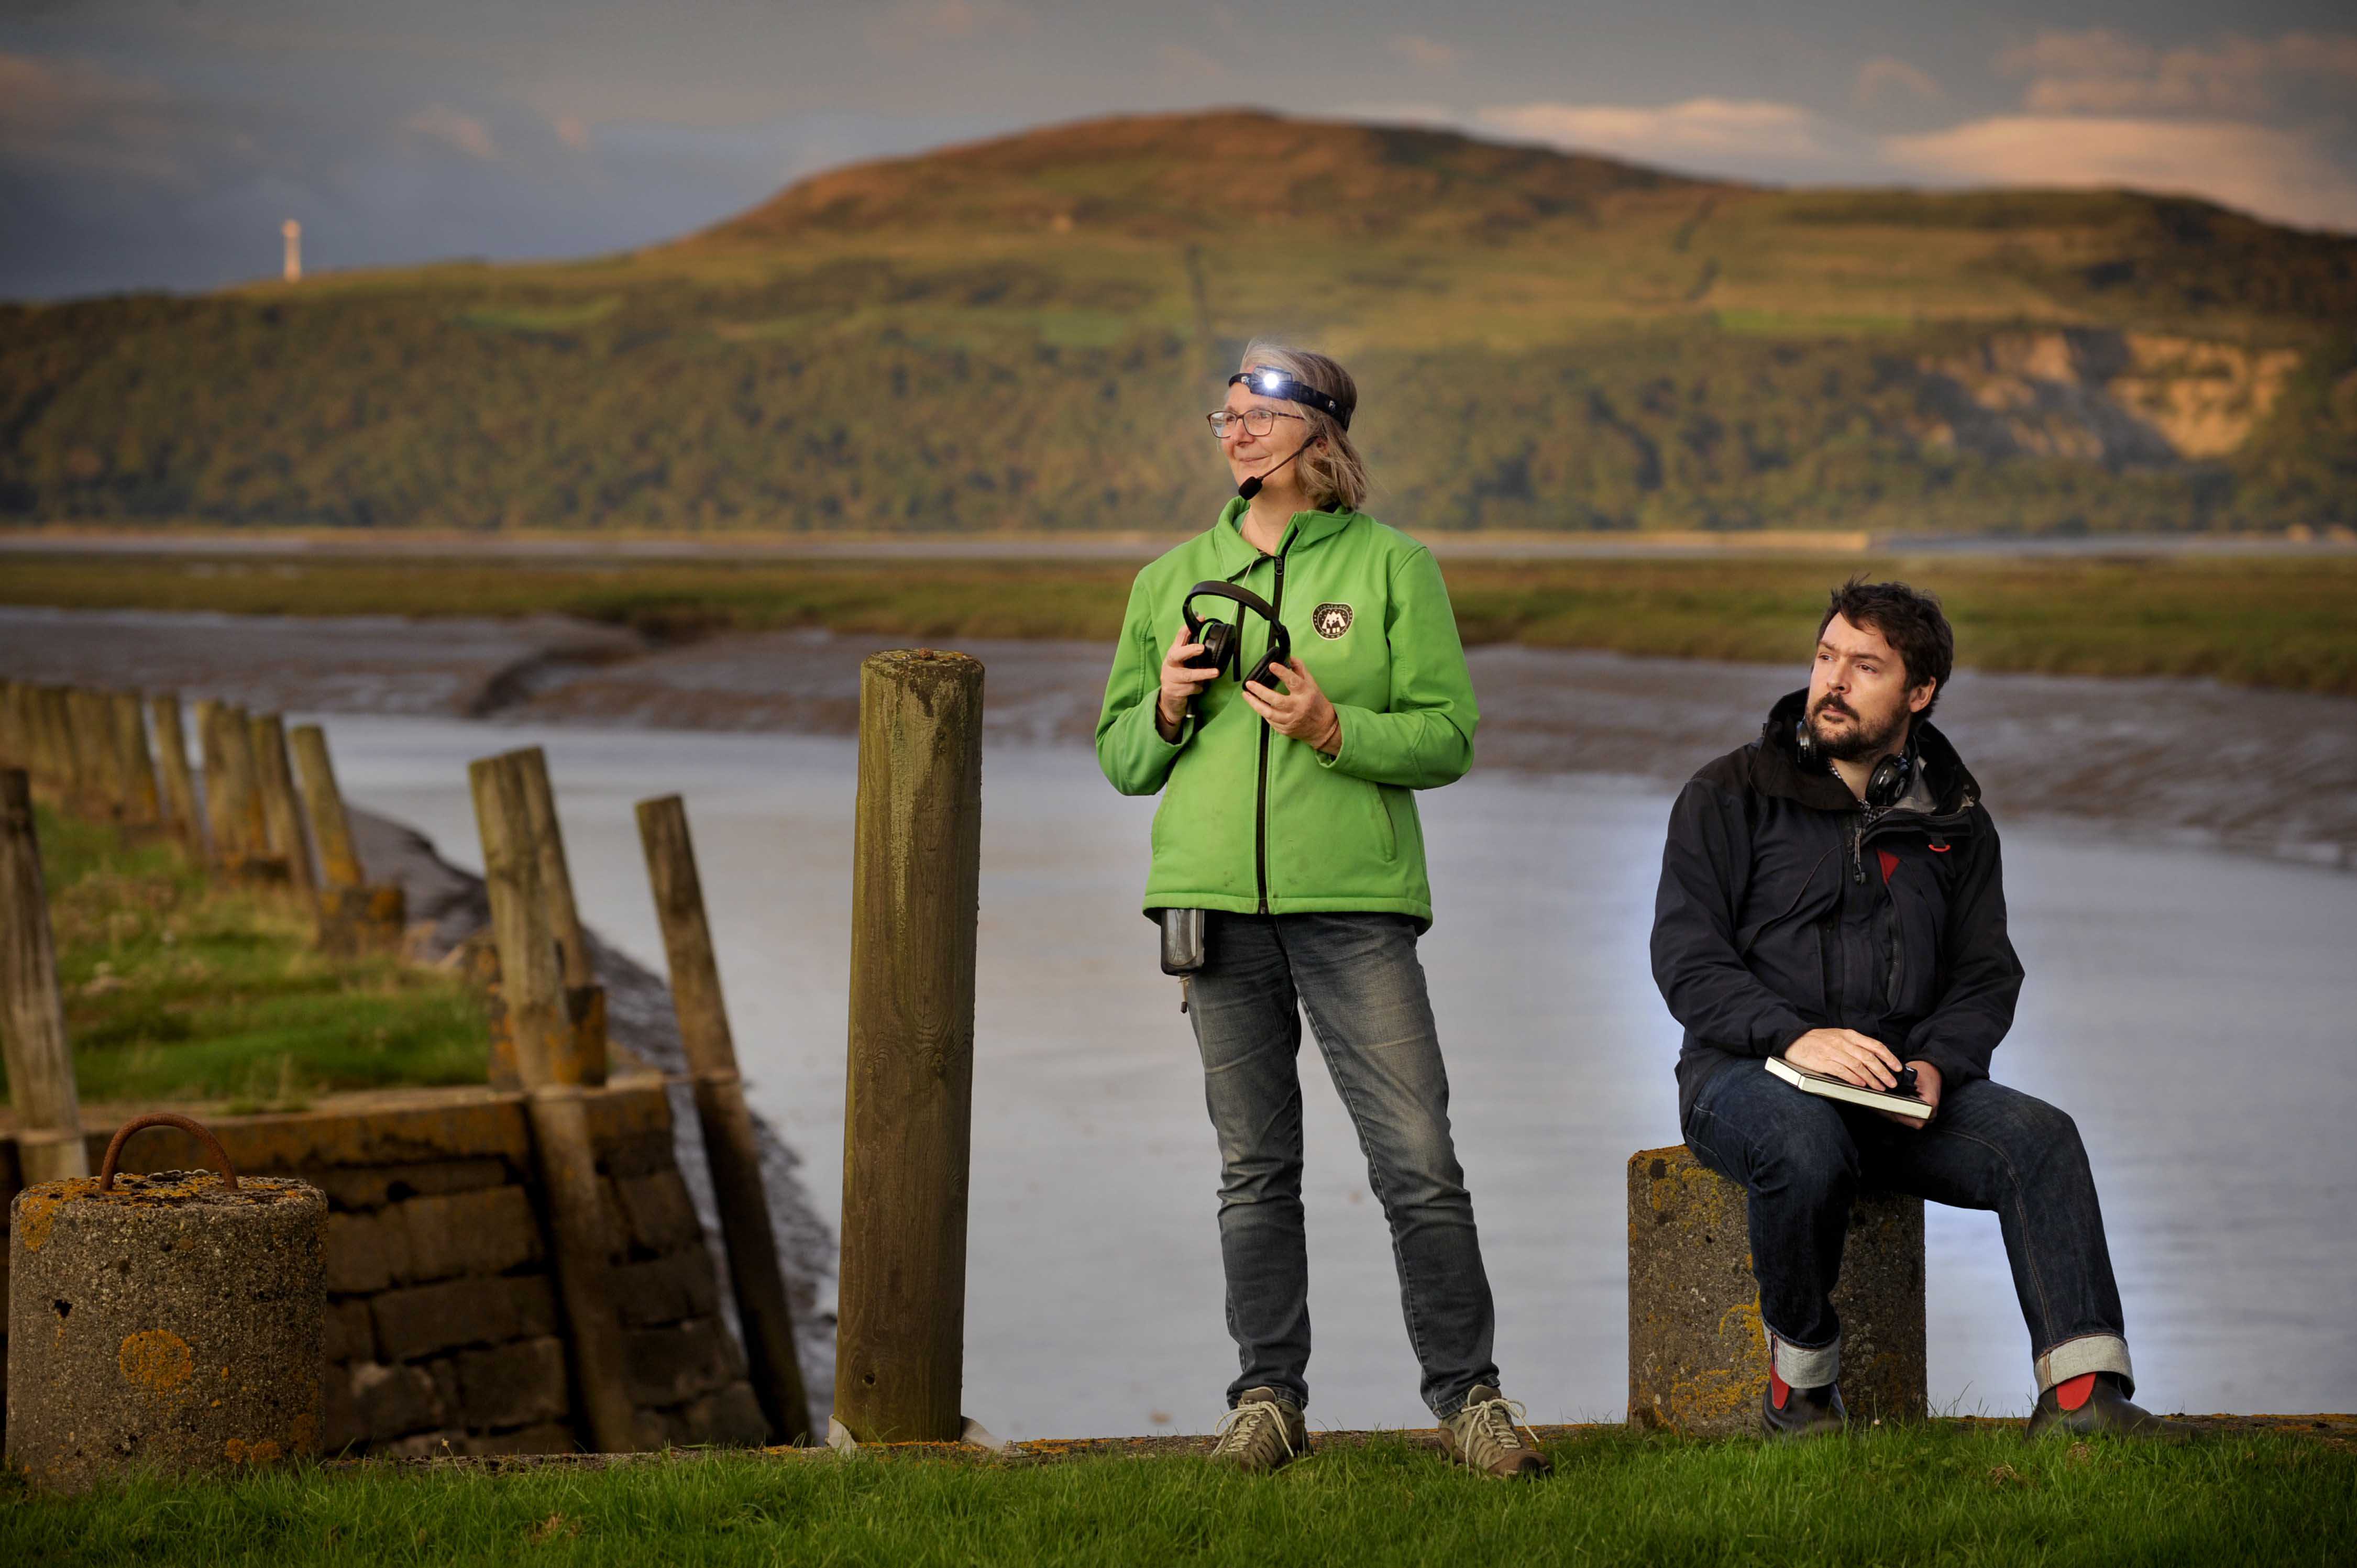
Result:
x=1884 y=1498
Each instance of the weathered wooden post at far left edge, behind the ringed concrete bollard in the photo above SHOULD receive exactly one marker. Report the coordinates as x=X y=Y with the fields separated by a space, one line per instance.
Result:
x=32 y=1013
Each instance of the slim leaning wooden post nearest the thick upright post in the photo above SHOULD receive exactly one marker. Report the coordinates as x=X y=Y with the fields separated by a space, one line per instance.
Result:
x=553 y=1098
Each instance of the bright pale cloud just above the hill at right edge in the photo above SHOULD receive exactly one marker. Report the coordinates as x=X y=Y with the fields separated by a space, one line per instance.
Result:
x=2273 y=173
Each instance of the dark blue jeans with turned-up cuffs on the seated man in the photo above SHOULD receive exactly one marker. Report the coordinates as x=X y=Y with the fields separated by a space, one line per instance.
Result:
x=1990 y=1147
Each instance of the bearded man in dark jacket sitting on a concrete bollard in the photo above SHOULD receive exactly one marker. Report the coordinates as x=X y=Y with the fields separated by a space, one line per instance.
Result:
x=1833 y=895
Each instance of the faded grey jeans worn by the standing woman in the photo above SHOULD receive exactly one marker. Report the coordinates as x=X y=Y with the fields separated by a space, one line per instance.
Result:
x=1364 y=991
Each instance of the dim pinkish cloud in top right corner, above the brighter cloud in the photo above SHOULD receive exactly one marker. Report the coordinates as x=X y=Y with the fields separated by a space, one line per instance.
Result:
x=2104 y=72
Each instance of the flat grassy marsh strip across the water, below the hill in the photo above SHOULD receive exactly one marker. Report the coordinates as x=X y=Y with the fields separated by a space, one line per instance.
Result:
x=2245 y=621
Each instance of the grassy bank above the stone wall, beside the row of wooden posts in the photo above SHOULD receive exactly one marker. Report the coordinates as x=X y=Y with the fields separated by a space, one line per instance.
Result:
x=185 y=991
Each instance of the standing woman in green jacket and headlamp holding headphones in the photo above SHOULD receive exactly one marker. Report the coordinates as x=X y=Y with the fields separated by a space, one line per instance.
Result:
x=1290 y=819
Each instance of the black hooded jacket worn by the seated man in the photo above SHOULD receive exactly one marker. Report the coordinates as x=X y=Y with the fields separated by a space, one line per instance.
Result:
x=1781 y=890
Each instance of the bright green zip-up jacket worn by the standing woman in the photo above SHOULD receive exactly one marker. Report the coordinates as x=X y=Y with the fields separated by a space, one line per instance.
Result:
x=1255 y=822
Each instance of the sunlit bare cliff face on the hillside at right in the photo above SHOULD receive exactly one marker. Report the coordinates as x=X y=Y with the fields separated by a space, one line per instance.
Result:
x=2125 y=400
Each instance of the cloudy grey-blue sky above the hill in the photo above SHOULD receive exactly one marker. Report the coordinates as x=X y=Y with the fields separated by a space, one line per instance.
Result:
x=164 y=143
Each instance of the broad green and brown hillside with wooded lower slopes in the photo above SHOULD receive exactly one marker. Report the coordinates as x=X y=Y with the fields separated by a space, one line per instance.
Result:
x=1026 y=334
